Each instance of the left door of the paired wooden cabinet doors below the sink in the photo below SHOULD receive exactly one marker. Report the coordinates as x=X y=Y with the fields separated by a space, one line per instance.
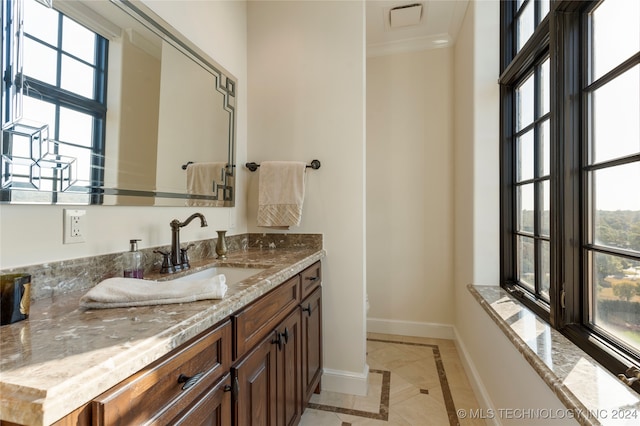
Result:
x=255 y=375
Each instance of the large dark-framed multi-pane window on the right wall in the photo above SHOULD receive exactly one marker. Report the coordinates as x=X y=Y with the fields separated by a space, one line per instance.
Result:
x=570 y=169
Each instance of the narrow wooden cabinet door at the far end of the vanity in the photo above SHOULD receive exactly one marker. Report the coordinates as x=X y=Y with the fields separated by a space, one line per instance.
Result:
x=311 y=344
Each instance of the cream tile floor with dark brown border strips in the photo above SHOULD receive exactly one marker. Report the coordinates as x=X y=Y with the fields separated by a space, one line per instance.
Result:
x=412 y=382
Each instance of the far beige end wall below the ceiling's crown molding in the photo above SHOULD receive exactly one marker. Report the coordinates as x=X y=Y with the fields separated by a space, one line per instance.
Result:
x=410 y=192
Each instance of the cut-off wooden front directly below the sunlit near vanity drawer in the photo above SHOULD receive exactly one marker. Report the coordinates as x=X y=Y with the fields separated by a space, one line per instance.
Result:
x=212 y=409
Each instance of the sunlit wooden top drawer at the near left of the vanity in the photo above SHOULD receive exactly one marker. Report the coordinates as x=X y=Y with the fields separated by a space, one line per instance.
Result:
x=157 y=393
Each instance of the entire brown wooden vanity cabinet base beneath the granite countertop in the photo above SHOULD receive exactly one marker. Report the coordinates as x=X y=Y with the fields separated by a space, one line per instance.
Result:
x=257 y=368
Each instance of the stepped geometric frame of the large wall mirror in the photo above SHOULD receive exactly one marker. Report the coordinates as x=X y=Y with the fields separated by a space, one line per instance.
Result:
x=225 y=84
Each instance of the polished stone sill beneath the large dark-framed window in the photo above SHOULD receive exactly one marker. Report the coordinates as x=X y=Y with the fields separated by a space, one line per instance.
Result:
x=592 y=393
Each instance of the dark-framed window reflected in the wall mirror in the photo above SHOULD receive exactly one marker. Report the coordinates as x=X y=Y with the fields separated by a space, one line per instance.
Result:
x=59 y=141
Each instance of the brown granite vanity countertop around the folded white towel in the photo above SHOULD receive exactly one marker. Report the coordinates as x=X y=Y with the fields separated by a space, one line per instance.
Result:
x=63 y=356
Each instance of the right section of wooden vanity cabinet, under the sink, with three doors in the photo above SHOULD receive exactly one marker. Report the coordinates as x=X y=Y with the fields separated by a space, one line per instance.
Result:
x=277 y=377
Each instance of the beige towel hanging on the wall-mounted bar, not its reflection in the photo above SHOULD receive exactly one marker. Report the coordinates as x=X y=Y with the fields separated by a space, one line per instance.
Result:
x=280 y=193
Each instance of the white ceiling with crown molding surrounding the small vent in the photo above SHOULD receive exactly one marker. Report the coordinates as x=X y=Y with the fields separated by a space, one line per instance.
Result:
x=438 y=27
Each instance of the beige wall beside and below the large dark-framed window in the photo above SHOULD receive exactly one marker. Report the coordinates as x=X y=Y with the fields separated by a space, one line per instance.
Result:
x=503 y=379
